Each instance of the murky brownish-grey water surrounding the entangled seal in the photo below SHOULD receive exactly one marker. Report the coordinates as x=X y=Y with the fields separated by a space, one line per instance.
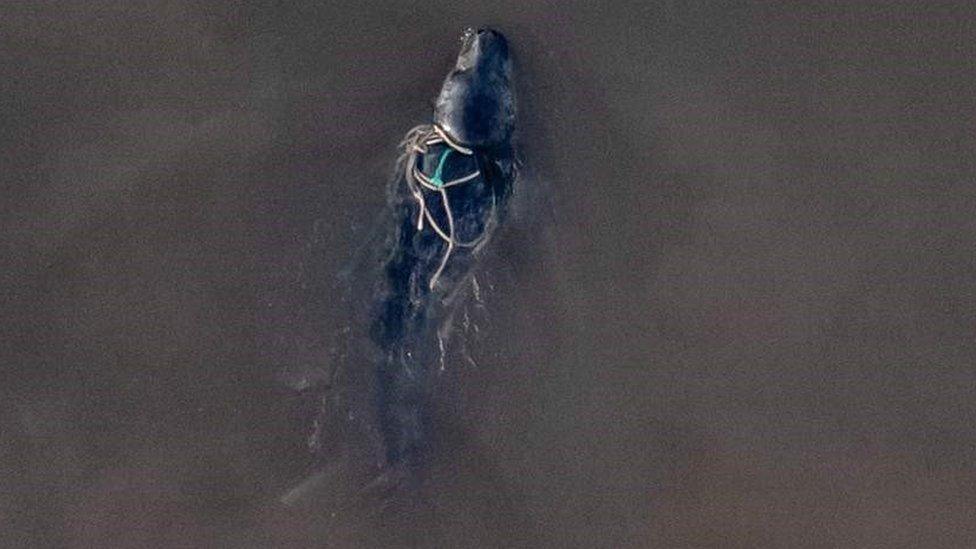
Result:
x=744 y=317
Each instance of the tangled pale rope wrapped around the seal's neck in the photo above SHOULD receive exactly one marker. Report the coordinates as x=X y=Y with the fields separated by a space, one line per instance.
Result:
x=418 y=140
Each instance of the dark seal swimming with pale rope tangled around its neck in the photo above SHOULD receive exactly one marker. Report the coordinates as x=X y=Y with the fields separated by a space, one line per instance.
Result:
x=450 y=192
